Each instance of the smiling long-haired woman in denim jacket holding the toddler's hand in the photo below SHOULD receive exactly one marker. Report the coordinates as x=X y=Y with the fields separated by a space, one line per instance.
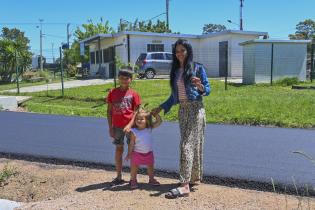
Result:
x=188 y=83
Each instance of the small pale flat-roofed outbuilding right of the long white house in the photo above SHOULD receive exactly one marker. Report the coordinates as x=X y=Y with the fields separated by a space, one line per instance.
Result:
x=266 y=60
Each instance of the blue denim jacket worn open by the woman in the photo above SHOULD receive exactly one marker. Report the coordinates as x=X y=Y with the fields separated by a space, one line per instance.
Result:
x=192 y=92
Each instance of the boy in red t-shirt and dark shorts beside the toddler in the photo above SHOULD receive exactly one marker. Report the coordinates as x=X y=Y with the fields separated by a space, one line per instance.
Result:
x=122 y=105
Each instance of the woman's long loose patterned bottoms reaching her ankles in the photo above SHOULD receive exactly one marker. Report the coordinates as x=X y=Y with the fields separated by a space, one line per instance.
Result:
x=192 y=121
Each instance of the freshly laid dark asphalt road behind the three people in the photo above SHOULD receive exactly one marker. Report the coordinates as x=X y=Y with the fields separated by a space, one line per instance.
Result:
x=242 y=152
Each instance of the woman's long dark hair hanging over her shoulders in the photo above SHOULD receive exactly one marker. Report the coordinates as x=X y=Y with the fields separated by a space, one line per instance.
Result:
x=187 y=63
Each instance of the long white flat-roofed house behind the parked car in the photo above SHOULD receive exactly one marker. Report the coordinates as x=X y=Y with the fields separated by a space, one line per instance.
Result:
x=217 y=51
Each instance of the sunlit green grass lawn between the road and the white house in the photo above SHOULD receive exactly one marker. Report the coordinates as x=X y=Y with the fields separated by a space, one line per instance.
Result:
x=241 y=104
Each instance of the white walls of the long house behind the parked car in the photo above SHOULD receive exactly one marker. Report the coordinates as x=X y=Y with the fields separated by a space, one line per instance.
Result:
x=206 y=50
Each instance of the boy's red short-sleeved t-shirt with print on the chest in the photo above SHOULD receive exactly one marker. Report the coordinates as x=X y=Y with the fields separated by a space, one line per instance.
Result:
x=123 y=103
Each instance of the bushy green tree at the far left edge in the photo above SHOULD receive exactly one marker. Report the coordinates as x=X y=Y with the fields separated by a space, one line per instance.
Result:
x=13 y=42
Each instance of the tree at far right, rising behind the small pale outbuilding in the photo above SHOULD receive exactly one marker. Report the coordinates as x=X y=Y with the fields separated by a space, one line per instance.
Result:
x=304 y=30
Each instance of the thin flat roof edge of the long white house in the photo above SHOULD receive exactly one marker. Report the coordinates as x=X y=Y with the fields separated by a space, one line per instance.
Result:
x=96 y=37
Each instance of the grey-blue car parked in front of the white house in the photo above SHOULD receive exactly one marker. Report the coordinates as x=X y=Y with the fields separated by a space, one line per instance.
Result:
x=154 y=63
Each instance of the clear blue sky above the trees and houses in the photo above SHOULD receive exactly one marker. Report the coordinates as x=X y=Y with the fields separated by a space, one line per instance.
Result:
x=277 y=17
